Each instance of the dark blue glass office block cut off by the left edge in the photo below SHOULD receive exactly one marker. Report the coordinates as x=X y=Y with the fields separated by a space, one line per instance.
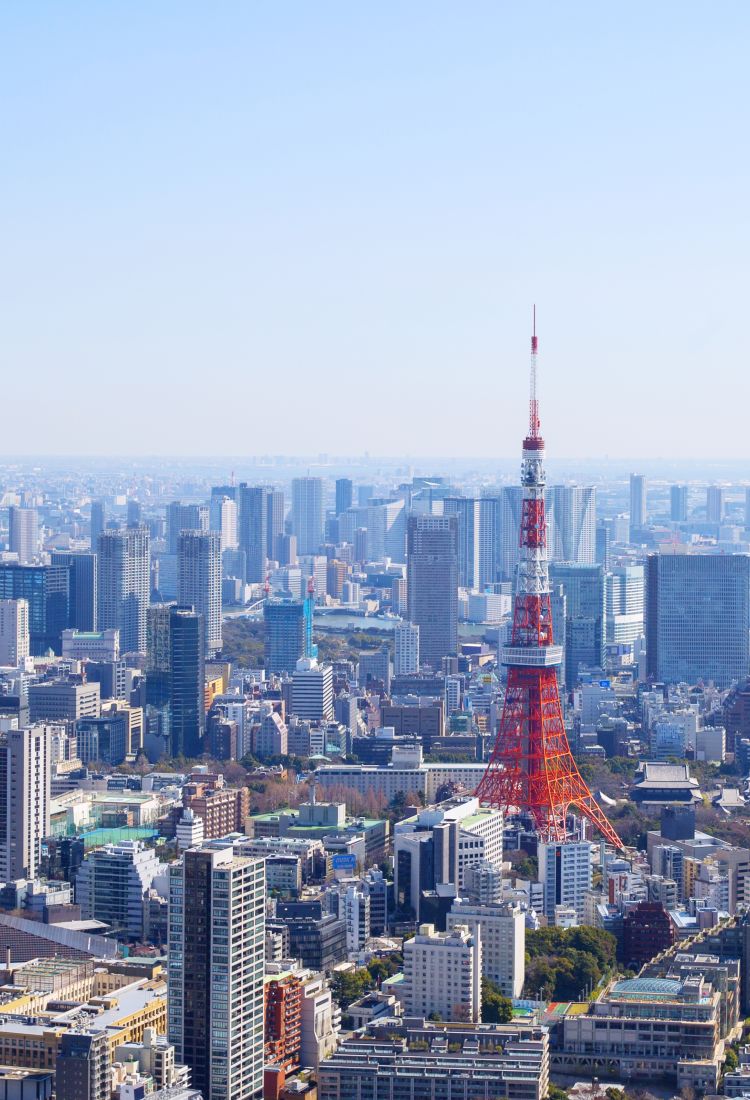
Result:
x=47 y=590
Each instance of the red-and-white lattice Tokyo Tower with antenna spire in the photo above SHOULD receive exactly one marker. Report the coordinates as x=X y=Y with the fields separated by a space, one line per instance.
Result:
x=532 y=767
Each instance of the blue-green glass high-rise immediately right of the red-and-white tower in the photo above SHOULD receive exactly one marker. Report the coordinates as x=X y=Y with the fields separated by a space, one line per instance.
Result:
x=583 y=587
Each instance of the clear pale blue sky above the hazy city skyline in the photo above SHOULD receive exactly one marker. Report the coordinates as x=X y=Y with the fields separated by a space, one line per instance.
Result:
x=293 y=228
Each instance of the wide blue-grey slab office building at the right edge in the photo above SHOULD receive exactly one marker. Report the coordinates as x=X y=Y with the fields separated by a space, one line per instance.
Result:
x=698 y=621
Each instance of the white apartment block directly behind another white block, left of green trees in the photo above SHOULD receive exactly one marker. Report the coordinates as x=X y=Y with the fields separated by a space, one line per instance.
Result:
x=502 y=930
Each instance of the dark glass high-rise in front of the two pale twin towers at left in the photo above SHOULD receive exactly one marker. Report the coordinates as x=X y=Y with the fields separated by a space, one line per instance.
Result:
x=175 y=677
